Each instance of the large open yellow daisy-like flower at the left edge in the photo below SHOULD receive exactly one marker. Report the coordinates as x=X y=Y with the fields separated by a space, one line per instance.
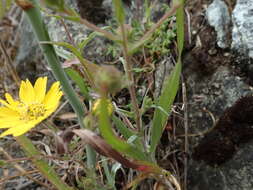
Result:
x=34 y=106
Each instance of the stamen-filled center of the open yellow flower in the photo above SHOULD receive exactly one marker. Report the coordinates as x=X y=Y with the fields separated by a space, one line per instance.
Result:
x=32 y=111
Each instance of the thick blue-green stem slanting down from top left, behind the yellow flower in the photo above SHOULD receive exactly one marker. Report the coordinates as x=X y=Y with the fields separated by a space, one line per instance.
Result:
x=32 y=11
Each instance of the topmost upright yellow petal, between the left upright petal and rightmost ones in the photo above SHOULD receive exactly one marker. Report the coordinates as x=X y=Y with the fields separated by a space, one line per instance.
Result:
x=40 y=89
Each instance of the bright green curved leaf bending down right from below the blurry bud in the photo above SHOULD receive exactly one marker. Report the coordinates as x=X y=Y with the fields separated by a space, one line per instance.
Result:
x=109 y=136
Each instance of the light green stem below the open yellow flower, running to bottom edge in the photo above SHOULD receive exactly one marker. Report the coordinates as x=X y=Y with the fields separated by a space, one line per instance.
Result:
x=44 y=168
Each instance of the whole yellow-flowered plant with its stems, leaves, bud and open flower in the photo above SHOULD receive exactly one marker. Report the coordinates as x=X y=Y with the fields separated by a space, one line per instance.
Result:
x=129 y=146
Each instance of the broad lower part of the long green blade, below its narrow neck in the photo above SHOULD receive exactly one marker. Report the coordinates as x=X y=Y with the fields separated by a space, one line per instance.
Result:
x=166 y=99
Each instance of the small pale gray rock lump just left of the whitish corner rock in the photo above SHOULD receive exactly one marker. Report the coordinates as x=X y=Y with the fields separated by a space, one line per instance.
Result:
x=218 y=17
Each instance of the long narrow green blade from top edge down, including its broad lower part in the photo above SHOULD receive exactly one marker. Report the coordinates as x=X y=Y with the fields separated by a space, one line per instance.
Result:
x=171 y=84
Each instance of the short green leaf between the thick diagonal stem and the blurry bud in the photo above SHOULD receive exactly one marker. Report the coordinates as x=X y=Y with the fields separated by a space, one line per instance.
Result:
x=74 y=75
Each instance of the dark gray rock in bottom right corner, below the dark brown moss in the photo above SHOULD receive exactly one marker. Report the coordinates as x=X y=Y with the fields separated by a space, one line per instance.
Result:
x=236 y=174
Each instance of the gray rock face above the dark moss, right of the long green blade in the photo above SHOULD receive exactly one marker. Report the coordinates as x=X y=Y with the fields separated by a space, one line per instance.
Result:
x=215 y=93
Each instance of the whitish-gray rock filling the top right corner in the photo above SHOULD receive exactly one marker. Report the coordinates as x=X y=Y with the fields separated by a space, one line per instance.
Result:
x=242 y=18
